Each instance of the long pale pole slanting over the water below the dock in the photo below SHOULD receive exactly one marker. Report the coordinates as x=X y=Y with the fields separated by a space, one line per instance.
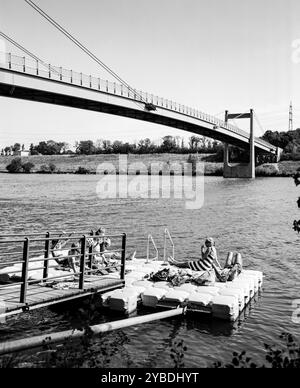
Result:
x=58 y=337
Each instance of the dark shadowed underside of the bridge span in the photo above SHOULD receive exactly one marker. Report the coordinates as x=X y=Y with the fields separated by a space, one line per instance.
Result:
x=179 y=121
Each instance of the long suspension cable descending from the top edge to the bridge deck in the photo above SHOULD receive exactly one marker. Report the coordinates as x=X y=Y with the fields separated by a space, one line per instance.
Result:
x=83 y=48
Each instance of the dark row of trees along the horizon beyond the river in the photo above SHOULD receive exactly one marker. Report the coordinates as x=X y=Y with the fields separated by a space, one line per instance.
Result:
x=288 y=141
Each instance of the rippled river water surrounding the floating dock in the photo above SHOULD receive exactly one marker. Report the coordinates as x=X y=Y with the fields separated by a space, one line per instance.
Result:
x=252 y=217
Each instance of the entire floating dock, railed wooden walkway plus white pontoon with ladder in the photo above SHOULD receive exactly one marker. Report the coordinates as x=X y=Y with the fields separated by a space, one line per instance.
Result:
x=41 y=282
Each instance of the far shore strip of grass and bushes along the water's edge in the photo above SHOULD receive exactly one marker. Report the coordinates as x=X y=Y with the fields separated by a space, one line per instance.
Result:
x=138 y=164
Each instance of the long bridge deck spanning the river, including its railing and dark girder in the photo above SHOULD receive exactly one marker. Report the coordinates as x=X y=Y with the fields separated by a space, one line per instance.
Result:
x=26 y=79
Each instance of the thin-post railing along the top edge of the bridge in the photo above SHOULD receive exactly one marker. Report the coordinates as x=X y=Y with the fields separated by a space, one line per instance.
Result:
x=32 y=67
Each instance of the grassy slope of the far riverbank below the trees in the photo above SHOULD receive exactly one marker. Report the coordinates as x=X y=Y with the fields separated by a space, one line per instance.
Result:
x=69 y=164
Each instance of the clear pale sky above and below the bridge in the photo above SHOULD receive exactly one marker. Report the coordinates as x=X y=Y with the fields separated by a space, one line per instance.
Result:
x=212 y=55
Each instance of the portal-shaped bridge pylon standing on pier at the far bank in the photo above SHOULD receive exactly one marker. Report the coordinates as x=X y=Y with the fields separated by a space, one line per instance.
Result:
x=241 y=170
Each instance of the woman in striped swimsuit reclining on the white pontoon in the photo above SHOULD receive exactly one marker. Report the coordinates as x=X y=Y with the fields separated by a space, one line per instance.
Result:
x=209 y=261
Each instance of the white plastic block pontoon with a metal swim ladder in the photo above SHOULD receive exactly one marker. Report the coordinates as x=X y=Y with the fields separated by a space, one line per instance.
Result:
x=223 y=301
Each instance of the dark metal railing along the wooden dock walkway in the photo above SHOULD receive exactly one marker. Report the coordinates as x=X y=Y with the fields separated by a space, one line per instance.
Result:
x=34 y=249
